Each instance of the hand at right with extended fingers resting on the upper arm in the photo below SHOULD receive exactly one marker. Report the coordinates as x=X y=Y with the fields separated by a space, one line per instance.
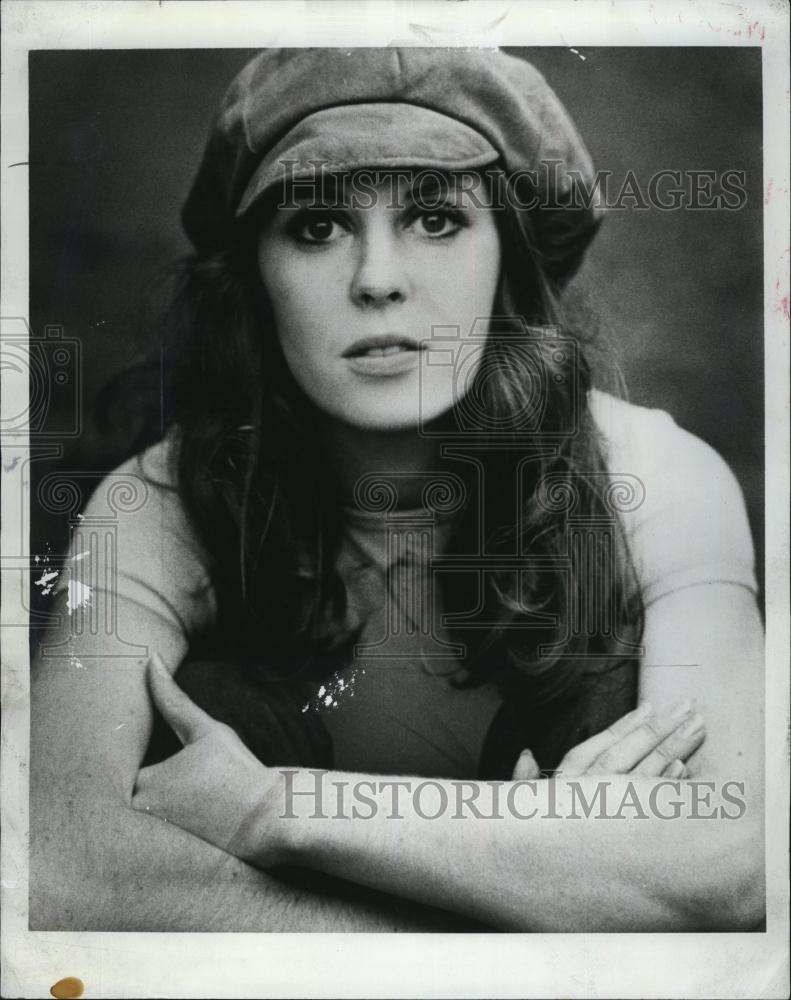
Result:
x=638 y=743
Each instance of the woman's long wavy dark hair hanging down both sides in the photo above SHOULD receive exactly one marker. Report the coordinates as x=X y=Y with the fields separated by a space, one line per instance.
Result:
x=260 y=496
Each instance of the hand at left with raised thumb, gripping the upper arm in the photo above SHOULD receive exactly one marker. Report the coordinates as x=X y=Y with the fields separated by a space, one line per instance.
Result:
x=214 y=787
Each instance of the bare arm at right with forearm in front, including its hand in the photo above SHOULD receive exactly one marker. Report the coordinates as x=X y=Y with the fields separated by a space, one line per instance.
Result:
x=538 y=862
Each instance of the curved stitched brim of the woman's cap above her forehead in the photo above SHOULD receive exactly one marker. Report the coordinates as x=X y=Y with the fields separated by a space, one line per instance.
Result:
x=379 y=136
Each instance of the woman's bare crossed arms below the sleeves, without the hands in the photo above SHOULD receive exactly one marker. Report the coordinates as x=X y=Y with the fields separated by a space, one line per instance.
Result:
x=100 y=862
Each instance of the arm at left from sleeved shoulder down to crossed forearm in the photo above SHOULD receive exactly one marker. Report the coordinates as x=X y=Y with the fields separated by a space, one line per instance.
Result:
x=95 y=862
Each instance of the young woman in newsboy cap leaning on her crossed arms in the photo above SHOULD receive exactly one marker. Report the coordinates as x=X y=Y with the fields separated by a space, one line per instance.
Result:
x=401 y=535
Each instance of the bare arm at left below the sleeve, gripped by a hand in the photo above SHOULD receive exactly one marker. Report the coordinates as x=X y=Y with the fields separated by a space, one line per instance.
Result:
x=97 y=864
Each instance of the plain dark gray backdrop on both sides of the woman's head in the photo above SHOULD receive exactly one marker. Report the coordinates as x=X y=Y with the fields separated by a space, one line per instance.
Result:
x=115 y=137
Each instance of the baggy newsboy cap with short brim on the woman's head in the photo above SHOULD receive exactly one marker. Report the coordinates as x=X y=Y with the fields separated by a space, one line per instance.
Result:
x=423 y=107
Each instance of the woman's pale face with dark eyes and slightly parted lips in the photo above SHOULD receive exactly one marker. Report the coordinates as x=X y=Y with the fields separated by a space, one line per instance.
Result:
x=356 y=292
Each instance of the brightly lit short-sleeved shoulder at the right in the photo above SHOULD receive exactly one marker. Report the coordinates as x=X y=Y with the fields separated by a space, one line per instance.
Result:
x=688 y=523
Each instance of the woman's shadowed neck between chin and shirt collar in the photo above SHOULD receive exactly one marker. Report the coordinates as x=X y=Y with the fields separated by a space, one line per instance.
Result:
x=354 y=453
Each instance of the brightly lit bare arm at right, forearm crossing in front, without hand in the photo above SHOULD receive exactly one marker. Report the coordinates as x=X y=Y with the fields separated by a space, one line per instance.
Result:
x=596 y=874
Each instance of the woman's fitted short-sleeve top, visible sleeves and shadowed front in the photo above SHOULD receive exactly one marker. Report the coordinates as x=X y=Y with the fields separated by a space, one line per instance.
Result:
x=393 y=708
